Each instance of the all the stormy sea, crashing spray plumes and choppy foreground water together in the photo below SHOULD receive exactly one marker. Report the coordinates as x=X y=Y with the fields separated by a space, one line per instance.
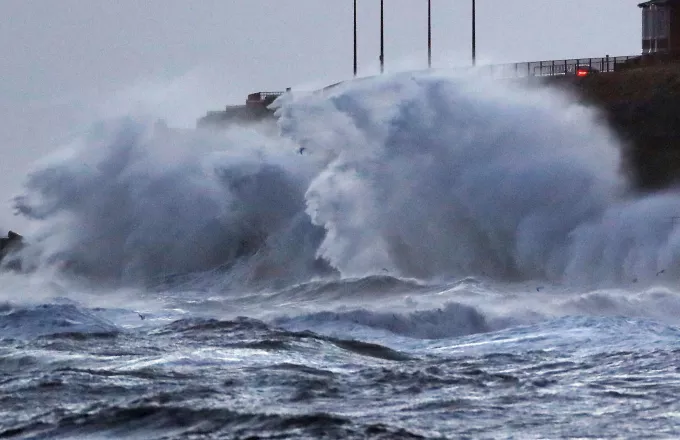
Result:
x=415 y=256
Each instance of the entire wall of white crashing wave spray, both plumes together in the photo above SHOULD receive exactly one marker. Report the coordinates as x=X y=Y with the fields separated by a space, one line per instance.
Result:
x=424 y=176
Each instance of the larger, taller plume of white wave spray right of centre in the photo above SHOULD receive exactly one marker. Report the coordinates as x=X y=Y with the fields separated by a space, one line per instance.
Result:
x=436 y=176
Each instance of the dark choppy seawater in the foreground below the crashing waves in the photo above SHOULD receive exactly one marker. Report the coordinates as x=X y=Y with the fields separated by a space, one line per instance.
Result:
x=68 y=371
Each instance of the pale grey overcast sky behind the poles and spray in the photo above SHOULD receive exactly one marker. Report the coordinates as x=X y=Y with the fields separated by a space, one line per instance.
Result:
x=65 y=63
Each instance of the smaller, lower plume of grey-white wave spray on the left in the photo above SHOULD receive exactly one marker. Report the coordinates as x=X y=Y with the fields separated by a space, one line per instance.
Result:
x=134 y=202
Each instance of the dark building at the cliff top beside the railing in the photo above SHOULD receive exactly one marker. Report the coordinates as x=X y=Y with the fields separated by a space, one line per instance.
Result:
x=660 y=26
